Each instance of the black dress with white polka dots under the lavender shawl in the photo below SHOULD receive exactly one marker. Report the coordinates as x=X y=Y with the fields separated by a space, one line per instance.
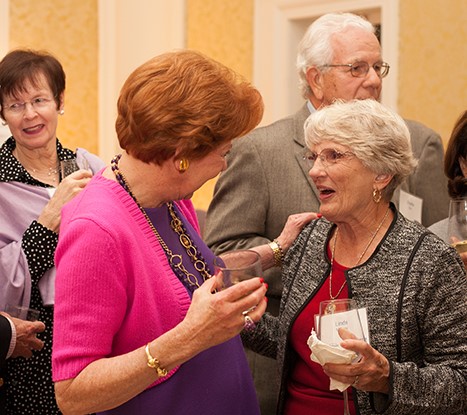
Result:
x=28 y=382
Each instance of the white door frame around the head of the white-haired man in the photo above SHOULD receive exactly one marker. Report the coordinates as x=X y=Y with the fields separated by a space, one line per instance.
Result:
x=278 y=27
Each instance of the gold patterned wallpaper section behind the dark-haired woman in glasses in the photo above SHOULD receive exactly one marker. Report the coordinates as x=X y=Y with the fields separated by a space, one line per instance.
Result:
x=68 y=29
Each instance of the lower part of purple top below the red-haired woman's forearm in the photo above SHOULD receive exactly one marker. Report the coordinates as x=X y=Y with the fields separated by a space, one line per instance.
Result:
x=215 y=382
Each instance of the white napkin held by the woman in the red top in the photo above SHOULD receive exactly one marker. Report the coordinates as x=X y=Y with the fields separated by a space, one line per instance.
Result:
x=324 y=353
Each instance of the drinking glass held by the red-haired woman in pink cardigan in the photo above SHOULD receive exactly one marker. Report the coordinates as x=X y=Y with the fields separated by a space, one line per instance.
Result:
x=238 y=266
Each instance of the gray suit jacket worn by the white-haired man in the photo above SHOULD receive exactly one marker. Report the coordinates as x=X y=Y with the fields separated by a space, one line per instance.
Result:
x=267 y=180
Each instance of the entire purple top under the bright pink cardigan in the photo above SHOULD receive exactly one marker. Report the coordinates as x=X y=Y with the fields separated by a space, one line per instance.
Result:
x=216 y=381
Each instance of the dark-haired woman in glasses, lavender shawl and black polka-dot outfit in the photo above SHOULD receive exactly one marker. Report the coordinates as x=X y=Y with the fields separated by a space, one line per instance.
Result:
x=32 y=193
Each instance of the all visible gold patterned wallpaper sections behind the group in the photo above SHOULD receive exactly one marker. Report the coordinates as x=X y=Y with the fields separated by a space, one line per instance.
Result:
x=432 y=56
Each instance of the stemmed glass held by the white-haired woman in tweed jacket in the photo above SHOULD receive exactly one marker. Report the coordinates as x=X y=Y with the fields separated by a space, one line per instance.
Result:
x=335 y=314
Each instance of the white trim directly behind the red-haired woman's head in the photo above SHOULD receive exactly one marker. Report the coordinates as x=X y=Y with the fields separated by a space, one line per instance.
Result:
x=130 y=33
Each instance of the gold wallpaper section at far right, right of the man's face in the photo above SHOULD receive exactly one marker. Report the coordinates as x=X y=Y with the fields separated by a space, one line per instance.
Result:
x=433 y=62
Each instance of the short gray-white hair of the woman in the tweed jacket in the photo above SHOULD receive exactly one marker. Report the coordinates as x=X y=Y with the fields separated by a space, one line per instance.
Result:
x=377 y=136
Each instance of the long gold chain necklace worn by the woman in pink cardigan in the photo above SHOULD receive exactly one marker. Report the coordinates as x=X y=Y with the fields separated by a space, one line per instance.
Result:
x=175 y=260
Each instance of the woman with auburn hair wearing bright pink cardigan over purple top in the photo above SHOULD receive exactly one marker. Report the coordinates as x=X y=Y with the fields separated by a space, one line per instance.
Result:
x=140 y=324
